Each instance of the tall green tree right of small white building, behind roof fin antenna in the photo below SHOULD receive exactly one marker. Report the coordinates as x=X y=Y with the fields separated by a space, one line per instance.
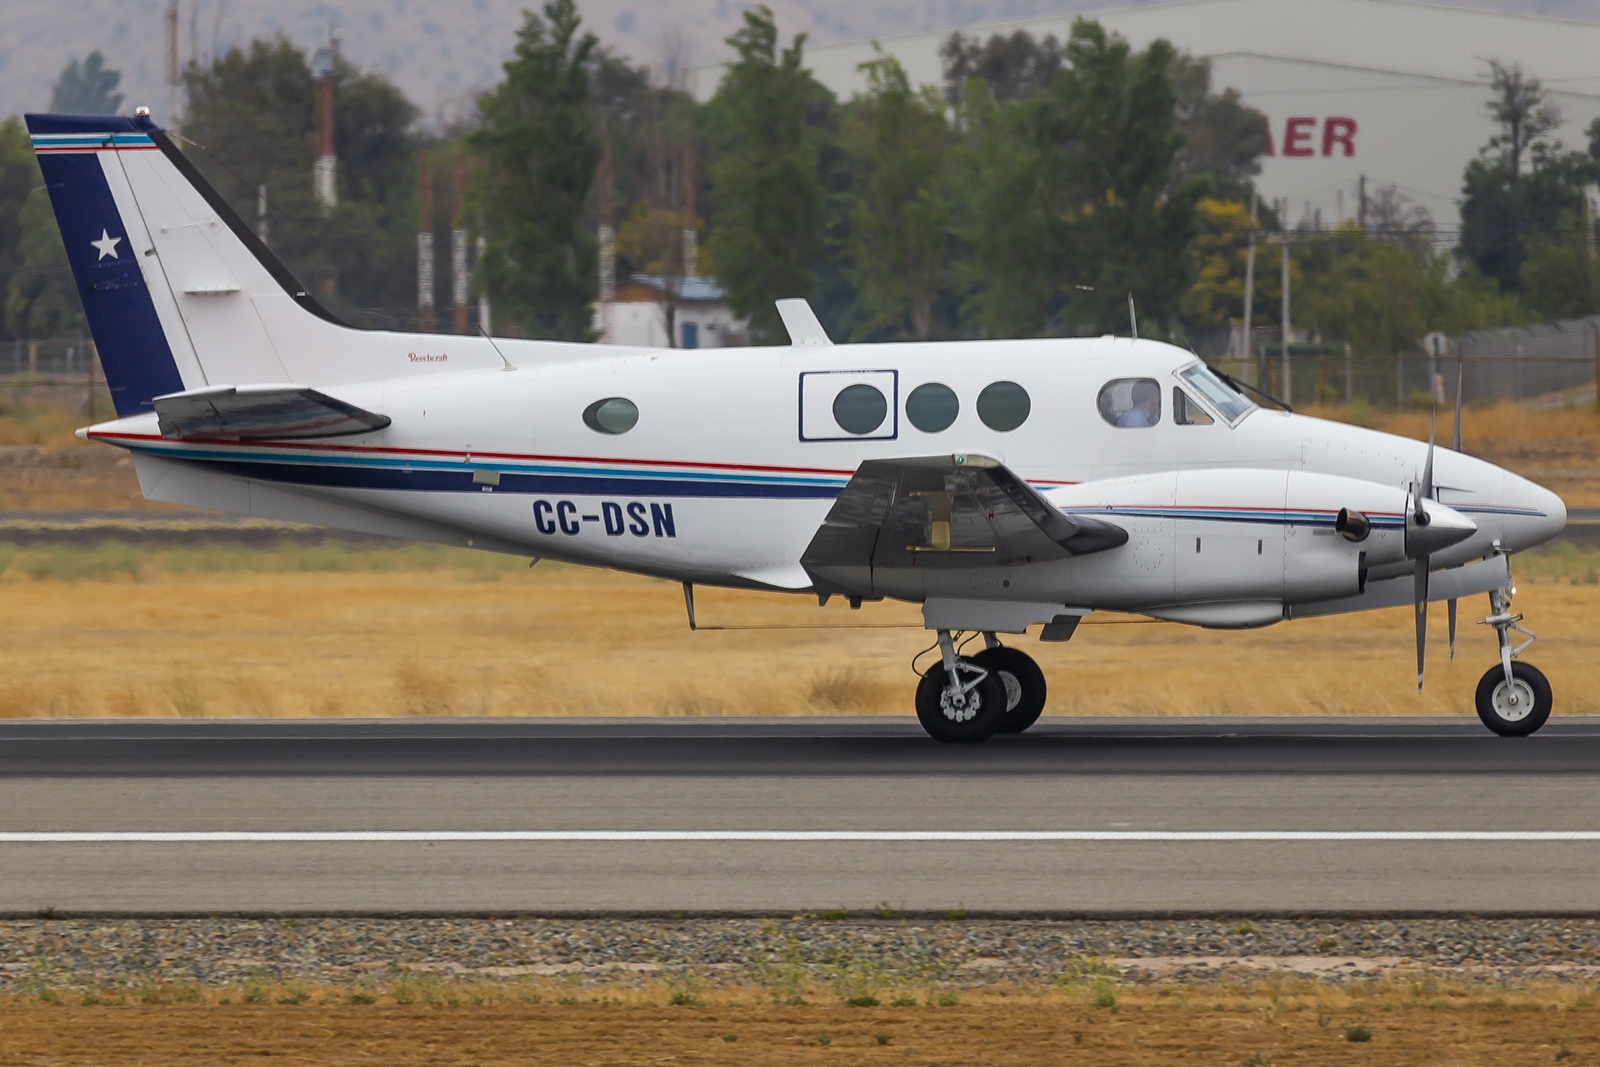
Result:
x=767 y=193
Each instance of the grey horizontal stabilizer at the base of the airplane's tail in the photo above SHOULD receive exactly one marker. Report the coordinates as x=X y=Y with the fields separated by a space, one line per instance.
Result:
x=249 y=414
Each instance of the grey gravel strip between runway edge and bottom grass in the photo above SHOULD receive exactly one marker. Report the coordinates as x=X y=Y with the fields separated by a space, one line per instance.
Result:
x=879 y=953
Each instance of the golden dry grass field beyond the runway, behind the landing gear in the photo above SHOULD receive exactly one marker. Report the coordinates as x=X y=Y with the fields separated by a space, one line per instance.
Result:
x=422 y=631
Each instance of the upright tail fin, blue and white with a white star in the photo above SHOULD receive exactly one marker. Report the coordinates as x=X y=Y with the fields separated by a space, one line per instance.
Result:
x=178 y=292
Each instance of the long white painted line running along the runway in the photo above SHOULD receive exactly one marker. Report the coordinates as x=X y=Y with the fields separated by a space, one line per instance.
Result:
x=223 y=837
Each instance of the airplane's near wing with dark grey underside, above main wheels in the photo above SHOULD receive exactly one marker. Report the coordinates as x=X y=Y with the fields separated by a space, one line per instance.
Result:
x=956 y=511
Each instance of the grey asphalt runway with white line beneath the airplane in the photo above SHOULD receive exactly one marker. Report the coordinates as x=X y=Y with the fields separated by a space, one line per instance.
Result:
x=783 y=817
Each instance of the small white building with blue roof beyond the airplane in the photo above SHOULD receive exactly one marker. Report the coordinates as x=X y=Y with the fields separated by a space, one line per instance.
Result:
x=639 y=313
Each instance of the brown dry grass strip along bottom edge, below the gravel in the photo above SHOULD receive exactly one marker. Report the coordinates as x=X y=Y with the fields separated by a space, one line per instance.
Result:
x=486 y=1025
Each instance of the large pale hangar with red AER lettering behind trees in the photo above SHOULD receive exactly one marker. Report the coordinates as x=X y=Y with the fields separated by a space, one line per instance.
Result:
x=1390 y=90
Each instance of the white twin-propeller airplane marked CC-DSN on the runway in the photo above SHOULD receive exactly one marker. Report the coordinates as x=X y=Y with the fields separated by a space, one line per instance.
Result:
x=999 y=484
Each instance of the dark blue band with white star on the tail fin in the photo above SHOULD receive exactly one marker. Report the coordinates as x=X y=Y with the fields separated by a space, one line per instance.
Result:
x=122 y=318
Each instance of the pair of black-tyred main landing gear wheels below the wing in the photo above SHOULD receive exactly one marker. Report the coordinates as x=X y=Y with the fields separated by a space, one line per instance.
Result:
x=972 y=698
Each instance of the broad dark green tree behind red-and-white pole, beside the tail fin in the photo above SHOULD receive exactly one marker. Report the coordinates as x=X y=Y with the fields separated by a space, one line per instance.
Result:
x=250 y=114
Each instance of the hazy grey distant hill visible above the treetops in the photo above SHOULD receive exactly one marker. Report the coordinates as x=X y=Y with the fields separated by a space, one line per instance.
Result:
x=444 y=52
